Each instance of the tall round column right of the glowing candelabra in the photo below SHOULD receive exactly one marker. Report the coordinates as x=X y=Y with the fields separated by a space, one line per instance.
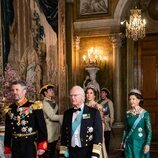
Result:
x=117 y=81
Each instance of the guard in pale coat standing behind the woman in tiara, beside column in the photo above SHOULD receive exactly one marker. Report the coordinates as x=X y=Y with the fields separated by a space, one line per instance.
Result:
x=108 y=114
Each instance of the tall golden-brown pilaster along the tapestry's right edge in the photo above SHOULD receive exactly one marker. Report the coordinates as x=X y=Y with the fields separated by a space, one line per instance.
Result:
x=62 y=70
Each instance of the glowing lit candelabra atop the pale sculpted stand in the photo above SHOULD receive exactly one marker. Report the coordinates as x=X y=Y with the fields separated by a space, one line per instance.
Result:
x=94 y=57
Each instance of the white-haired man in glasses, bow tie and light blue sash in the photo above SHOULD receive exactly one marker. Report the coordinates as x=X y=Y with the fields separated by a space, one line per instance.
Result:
x=81 y=134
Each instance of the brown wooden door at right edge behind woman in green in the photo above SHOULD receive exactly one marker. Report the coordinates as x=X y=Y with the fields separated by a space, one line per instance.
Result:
x=148 y=50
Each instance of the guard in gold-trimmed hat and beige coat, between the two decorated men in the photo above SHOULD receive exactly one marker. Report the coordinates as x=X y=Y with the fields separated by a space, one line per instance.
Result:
x=52 y=118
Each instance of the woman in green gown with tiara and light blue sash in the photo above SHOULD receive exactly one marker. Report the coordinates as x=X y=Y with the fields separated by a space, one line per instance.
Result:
x=137 y=134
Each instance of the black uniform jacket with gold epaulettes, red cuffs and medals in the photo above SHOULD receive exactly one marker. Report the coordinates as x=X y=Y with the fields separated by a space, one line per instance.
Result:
x=24 y=122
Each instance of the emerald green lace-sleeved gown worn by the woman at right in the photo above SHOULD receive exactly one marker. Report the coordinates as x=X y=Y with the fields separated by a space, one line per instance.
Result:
x=141 y=136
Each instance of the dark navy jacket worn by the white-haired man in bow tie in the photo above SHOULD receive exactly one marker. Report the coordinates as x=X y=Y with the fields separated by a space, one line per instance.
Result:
x=90 y=132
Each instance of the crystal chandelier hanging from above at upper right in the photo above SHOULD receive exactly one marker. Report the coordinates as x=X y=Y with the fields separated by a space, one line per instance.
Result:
x=136 y=27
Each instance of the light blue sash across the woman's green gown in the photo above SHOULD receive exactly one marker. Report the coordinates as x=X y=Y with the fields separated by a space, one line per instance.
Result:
x=133 y=127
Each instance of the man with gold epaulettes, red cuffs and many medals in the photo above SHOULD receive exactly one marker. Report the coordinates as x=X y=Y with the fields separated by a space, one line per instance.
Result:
x=25 y=128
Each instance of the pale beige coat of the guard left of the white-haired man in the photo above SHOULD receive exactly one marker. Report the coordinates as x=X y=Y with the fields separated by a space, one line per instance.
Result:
x=53 y=120
